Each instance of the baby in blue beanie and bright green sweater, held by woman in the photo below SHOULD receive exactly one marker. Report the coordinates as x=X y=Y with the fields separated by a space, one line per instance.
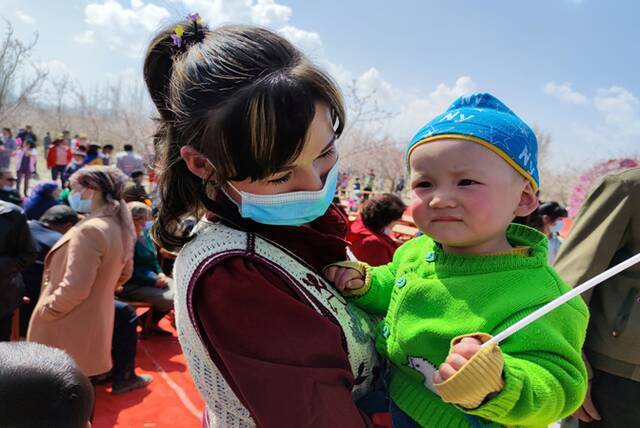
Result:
x=472 y=170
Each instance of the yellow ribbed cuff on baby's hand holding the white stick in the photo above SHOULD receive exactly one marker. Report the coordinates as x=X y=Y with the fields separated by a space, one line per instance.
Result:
x=479 y=377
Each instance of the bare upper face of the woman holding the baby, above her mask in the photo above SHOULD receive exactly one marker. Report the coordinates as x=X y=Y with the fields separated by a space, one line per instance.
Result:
x=309 y=171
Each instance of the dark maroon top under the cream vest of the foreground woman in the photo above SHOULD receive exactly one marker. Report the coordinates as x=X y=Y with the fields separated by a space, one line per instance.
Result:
x=285 y=362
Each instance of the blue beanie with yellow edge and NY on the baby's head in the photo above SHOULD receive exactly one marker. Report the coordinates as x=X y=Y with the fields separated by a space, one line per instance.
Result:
x=484 y=119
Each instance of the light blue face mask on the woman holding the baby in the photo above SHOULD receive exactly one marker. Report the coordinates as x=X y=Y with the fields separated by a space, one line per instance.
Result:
x=288 y=209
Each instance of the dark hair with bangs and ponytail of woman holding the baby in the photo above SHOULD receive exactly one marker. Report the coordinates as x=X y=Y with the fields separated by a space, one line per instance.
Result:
x=242 y=96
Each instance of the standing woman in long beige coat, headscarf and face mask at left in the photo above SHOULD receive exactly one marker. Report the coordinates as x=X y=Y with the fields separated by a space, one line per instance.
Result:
x=82 y=271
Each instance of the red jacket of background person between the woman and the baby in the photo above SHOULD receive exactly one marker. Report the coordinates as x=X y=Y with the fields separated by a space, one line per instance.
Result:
x=368 y=246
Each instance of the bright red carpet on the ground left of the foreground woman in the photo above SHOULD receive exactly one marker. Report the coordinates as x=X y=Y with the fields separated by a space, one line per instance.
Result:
x=171 y=400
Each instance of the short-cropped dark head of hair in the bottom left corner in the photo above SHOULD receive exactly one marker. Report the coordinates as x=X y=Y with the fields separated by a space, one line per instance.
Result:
x=42 y=386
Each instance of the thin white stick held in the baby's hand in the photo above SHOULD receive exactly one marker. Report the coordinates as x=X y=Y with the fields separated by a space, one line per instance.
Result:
x=564 y=298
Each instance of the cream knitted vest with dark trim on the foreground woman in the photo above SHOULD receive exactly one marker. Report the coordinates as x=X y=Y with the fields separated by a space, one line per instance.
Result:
x=215 y=241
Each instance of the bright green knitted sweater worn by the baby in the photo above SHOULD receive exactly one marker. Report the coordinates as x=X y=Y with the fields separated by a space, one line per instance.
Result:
x=428 y=297
